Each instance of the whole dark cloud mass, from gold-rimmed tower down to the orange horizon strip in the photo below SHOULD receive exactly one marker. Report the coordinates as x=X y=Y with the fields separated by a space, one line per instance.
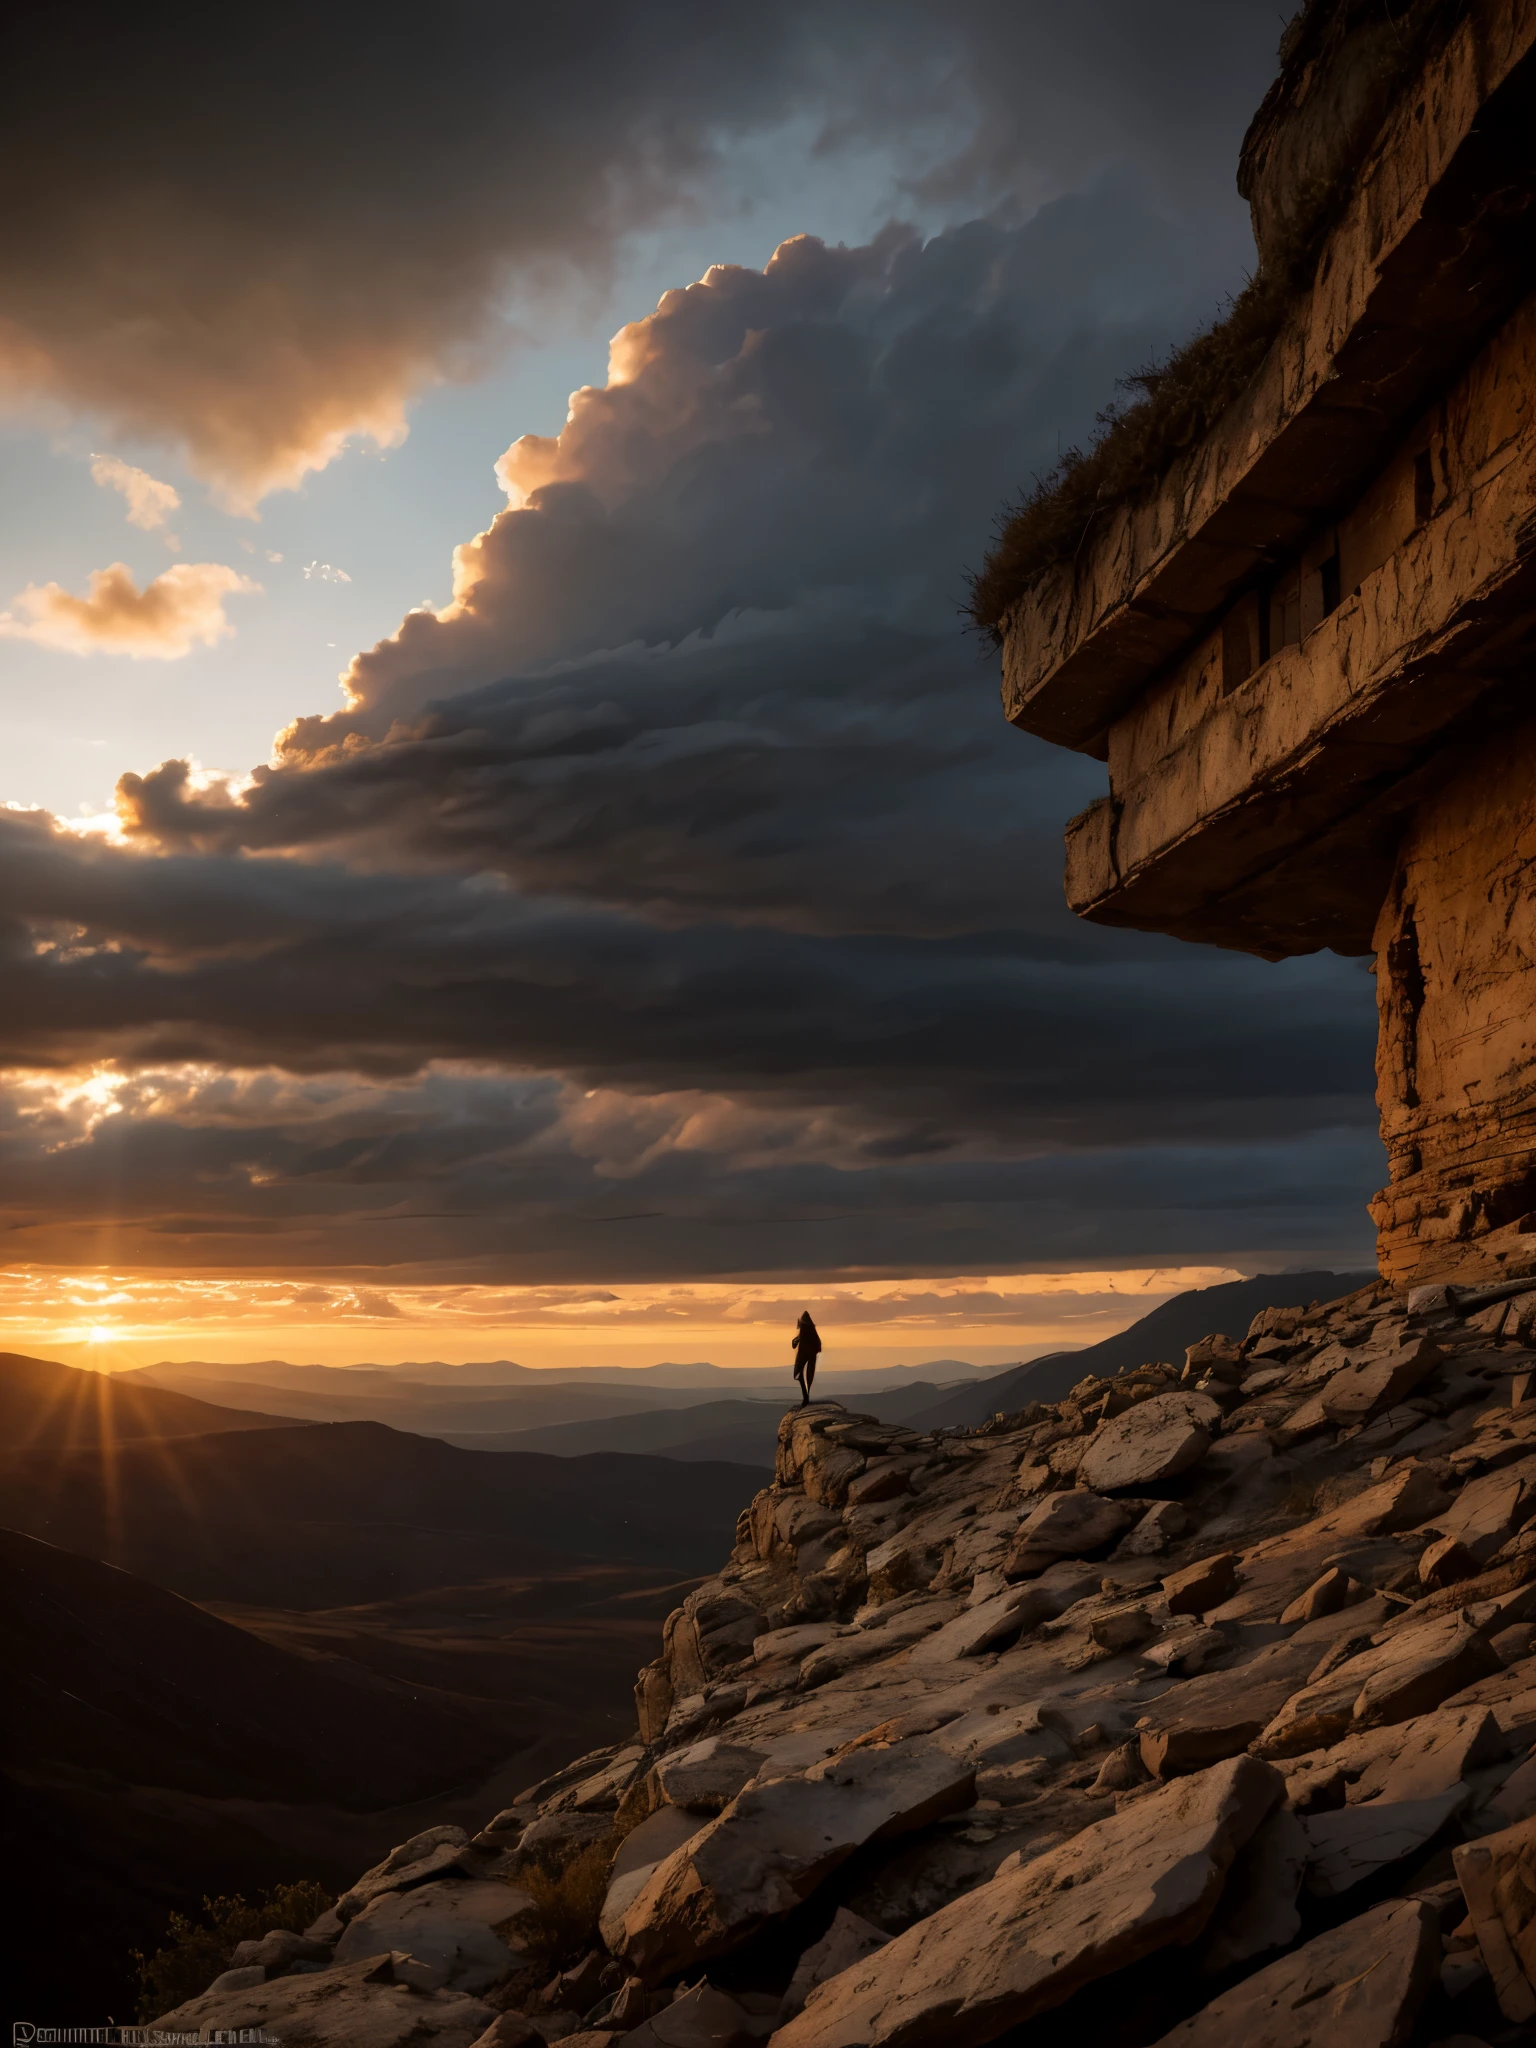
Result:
x=679 y=892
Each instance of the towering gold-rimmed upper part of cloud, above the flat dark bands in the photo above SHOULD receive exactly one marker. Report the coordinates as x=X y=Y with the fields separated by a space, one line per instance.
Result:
x=724 y=628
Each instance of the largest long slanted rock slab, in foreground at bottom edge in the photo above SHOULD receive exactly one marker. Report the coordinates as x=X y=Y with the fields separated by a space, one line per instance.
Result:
x=1019 y=1947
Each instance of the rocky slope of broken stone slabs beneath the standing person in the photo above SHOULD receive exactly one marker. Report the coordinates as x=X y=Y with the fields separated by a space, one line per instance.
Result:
x=1195 y=1705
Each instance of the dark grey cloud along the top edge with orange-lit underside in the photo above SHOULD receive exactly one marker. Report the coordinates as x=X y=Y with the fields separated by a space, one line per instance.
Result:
x=259 y=234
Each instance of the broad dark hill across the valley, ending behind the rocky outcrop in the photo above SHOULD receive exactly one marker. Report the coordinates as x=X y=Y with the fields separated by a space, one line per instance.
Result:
x=327 y=1514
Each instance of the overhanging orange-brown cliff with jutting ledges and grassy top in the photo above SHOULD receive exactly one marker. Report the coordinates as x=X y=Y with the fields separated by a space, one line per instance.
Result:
x=1306 y=650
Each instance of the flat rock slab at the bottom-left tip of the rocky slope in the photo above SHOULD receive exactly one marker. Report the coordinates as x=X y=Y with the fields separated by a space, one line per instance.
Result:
x=359 y=2006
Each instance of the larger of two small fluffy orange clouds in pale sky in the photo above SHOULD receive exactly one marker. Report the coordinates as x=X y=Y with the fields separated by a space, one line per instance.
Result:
x=177 y=611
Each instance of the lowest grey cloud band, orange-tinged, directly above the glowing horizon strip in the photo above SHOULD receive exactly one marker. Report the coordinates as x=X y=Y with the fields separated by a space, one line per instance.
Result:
x=482 y=1179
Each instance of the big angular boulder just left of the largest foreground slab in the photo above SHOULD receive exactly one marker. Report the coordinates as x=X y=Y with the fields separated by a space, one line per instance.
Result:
x=777 y=1842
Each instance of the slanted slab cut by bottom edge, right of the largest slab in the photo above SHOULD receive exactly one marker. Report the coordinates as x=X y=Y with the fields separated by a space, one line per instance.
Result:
x=1353 y=1988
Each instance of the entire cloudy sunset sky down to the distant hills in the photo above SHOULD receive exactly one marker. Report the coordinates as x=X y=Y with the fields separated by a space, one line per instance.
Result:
x=509 y=845
